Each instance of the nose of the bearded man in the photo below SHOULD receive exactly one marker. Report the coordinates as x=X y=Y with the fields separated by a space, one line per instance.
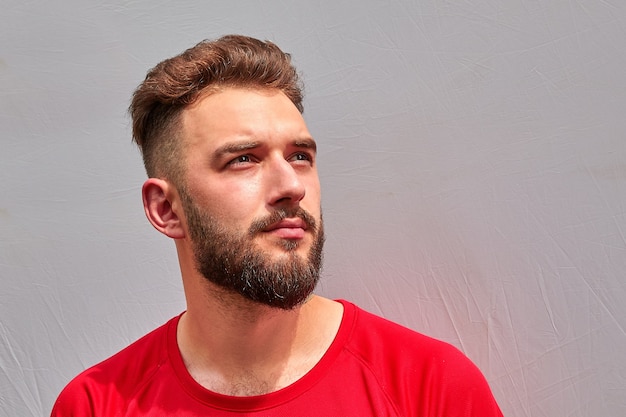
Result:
x=285 y=184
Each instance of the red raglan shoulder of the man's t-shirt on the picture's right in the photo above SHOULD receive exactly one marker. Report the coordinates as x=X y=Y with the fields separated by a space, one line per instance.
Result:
x=406 y=363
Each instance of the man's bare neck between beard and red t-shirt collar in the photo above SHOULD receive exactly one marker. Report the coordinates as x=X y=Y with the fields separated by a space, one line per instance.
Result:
x=236 y=347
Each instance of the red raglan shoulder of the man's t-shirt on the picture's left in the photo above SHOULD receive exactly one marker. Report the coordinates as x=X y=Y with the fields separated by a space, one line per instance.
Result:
x=113 y=379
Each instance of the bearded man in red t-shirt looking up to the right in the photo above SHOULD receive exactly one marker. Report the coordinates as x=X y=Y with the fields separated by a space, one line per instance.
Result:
x=233 y=180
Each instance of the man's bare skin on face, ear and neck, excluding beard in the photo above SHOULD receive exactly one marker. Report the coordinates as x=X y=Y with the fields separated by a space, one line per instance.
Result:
x=247 y=153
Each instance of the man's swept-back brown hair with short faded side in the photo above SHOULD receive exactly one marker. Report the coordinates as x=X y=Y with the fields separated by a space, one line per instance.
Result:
x=172 y=85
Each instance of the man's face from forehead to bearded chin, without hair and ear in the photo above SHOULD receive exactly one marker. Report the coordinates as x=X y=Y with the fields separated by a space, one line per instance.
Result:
x=251 y=195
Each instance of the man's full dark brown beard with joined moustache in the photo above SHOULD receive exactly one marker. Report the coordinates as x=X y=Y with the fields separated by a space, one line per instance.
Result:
x=233 y=261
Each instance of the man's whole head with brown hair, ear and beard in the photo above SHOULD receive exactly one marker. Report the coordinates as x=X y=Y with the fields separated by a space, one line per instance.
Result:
x=235 y=165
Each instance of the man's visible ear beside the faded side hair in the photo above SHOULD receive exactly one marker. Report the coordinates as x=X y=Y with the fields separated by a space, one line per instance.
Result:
x=162 y=206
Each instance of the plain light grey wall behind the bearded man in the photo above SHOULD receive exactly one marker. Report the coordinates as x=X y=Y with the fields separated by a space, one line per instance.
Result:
x=472 y=163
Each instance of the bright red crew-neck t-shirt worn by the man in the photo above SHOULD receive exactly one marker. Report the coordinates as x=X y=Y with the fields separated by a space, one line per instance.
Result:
x=373 y=368
